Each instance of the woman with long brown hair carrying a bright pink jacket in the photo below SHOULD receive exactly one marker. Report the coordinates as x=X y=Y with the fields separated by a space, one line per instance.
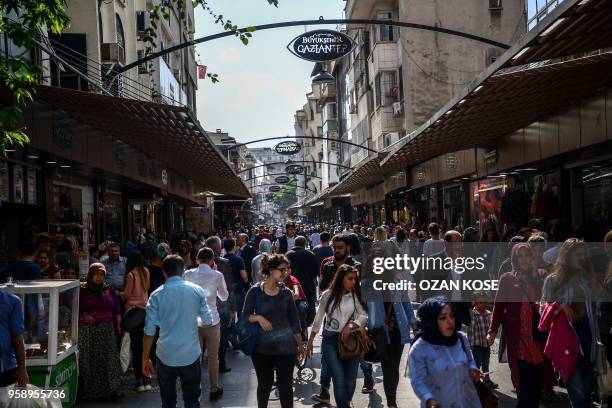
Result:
x=570 y=285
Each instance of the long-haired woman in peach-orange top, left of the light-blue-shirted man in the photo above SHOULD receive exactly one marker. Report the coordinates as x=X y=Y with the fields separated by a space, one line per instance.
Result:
x=137 y=282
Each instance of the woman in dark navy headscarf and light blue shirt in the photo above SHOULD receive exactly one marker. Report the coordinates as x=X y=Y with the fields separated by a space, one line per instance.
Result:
x=441 y=367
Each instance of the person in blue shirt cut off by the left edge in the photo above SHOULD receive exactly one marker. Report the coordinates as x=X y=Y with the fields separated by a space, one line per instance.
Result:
x=12 y=348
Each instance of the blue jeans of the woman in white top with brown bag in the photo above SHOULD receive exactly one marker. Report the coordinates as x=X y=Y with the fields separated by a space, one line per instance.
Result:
x=343 y=372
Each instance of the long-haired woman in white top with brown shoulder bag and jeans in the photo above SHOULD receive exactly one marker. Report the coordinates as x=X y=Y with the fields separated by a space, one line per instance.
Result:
x=341 y=307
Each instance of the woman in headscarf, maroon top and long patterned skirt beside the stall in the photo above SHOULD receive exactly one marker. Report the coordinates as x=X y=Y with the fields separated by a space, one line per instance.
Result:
x=99 y=324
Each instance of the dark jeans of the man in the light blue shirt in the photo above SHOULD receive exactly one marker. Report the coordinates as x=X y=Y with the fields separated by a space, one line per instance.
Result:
x=191 y=377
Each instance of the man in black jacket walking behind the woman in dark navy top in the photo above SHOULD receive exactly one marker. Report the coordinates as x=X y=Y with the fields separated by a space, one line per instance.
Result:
x=305 y=268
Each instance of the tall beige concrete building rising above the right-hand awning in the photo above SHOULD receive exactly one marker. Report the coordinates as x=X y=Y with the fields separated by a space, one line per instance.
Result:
x=395 y=79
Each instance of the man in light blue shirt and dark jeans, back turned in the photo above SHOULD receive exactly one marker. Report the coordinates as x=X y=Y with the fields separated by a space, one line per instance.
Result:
x=174 y=308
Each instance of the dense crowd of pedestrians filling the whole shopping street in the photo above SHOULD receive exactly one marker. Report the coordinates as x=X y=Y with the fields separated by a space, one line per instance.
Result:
x=181 y=299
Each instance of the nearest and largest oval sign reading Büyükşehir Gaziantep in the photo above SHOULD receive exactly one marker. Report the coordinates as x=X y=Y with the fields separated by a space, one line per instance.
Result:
x=321 y=45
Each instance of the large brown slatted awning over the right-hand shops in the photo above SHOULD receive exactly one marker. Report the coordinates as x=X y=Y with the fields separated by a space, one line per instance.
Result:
x=566 y=57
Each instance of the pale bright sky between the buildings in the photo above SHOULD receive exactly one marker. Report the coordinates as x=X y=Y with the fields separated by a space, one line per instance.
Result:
x=262 y=84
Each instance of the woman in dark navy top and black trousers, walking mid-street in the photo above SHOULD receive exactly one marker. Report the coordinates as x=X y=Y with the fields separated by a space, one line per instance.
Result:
x=270 y=304
